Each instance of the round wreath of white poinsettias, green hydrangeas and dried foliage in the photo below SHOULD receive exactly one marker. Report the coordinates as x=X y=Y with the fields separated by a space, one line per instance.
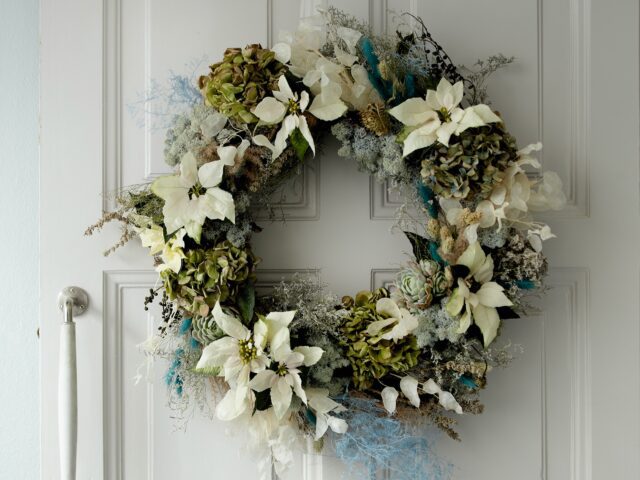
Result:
x=299 y=361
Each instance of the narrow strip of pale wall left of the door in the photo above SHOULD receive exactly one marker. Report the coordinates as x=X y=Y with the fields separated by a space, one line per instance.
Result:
x=19 y=179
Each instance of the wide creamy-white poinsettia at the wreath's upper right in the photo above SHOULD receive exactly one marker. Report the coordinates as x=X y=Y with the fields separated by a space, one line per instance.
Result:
x=438 y=116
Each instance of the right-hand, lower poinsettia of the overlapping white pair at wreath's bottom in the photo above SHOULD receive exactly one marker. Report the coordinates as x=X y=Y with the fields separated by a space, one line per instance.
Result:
x=285 y=379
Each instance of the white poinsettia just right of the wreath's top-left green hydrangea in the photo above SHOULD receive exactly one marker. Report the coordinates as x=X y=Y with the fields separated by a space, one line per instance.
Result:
x=287 y=109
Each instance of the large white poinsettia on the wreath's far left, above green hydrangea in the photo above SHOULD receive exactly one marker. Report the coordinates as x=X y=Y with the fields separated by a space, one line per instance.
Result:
x=193 y=196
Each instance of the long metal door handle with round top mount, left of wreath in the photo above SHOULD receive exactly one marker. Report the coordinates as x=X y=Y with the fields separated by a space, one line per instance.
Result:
x=73 y=301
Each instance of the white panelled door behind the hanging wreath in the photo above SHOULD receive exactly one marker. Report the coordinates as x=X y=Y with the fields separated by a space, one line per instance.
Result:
x=567 y=409
